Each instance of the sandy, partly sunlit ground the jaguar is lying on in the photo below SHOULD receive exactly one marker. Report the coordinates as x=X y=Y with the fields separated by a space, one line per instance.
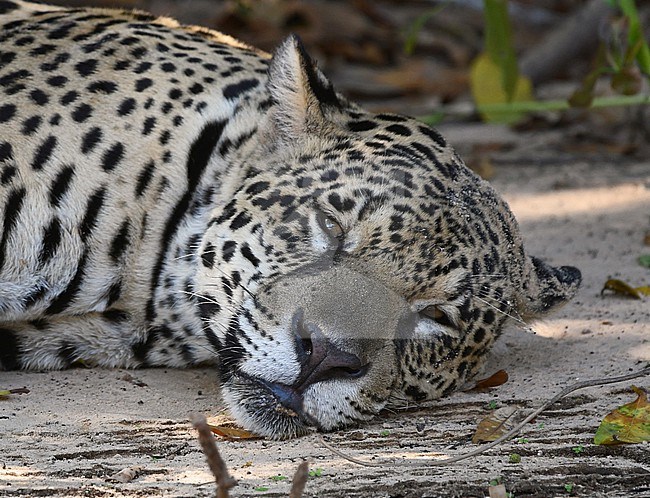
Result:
x=77 y=428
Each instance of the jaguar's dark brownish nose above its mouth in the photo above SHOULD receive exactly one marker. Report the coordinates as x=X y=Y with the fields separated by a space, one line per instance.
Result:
x=320 y=358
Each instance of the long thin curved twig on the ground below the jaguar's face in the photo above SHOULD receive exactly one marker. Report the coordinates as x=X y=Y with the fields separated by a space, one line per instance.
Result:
x=508 y=435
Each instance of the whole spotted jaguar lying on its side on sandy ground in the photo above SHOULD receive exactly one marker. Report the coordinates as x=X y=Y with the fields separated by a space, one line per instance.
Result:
x=170 y=196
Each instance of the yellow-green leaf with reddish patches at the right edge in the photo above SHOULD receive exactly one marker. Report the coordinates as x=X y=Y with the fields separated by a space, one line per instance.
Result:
x=628 y=423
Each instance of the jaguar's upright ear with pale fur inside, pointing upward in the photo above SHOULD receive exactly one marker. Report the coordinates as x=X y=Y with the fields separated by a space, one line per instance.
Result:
x=299 y=91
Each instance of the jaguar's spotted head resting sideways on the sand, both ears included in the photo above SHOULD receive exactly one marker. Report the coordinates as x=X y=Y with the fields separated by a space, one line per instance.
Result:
x=357 y=264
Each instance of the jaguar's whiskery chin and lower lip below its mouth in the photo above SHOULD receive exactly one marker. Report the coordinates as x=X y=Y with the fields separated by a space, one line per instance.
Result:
x=265 y=409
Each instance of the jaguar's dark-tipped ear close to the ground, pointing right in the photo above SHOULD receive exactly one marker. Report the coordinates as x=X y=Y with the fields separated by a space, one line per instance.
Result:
x=547 y=287
